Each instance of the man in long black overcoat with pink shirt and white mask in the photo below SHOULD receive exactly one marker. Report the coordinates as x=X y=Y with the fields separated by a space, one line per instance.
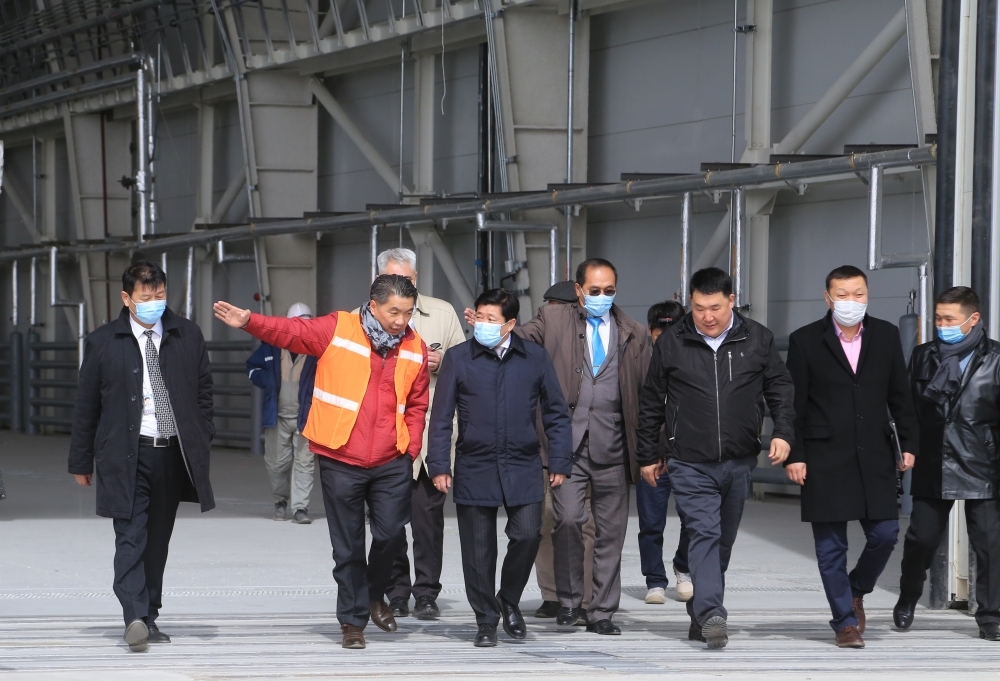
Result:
x=850 y=380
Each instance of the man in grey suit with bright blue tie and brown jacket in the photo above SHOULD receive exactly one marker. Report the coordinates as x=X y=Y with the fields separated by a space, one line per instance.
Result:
x=601 y=357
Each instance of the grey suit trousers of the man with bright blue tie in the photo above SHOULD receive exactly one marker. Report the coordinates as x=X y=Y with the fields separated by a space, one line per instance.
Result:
x=609 y=507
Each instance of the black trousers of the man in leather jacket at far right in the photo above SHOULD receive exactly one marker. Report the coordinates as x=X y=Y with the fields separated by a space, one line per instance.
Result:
x=928 y=525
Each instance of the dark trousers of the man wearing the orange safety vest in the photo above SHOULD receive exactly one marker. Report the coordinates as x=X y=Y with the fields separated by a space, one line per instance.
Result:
x=347 y=490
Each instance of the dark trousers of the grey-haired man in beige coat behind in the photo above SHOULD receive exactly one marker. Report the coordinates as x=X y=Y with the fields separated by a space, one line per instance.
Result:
x=427 y=526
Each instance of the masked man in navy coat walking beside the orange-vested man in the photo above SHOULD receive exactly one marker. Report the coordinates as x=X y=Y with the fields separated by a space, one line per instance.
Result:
x=497 y=382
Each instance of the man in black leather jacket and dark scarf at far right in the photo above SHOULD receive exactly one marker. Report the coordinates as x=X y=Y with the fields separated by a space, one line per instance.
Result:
x=956 y=389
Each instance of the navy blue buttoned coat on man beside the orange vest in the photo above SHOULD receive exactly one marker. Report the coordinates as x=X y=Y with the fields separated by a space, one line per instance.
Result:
x=497 y=460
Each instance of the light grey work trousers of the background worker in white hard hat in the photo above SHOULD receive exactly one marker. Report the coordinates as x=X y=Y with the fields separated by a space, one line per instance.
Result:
x=290 y=464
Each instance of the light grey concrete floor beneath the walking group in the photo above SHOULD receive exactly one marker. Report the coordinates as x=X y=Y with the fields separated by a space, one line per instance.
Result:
x=247 y=597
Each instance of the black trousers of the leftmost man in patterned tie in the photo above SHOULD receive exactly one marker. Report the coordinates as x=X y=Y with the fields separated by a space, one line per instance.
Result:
x=141 y=541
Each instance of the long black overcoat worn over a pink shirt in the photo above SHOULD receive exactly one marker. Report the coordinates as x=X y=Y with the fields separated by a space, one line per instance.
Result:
x=841 y=421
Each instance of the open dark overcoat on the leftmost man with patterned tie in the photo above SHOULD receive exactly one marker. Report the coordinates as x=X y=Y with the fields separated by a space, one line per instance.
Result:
x=109 y=410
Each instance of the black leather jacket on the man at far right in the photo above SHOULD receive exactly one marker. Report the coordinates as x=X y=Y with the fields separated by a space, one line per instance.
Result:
x=958 y=436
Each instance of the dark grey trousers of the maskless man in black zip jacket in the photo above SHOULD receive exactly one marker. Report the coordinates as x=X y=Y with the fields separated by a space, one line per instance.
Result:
x=709 y=499
